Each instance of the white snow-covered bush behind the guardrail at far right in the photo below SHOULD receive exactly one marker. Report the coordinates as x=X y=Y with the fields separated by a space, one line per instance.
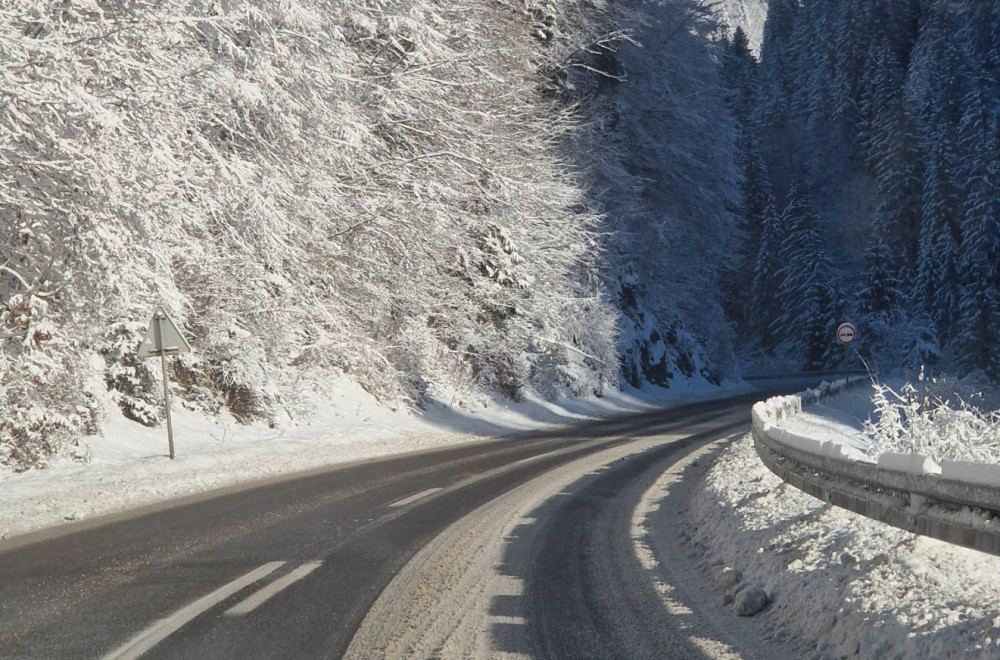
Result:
x=933 y=417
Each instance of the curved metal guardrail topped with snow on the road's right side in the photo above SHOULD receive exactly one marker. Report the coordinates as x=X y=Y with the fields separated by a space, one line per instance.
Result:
x=946 y=509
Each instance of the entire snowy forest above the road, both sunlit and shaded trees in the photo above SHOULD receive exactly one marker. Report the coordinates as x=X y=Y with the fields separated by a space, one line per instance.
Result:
x=488 y=198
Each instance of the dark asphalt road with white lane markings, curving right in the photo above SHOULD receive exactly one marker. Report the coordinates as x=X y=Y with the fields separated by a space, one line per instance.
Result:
x=291 y=569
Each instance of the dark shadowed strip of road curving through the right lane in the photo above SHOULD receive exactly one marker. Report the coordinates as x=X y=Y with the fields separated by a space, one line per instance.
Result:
x=583 y=592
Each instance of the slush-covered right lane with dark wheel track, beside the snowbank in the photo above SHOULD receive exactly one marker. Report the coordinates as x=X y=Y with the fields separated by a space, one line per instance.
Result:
x=582 y=562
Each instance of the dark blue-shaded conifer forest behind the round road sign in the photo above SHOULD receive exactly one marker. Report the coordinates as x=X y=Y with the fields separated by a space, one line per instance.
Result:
x=870 y=150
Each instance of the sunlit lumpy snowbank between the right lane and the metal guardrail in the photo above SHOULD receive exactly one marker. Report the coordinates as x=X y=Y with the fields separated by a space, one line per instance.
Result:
x=843 y=585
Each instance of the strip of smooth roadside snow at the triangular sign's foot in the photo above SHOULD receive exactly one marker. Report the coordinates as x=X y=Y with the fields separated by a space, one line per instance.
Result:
x=127 y=466
